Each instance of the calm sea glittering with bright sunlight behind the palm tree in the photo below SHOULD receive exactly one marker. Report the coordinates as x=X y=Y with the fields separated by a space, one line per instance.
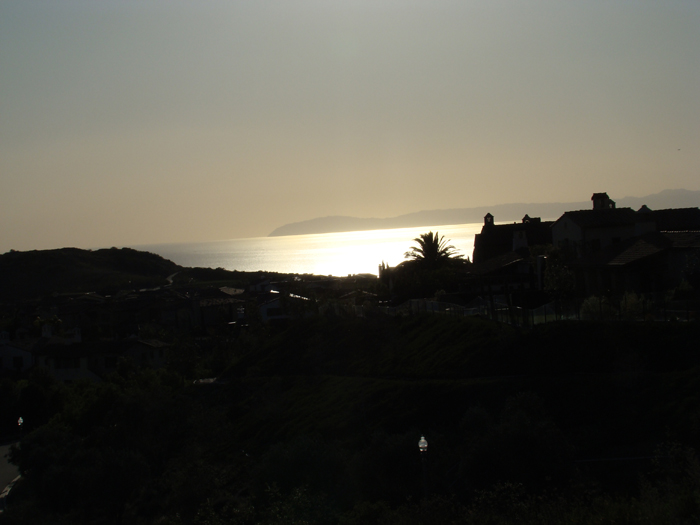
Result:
x=336 y=254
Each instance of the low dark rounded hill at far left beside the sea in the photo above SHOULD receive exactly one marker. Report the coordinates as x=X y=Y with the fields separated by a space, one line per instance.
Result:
x=37 y=273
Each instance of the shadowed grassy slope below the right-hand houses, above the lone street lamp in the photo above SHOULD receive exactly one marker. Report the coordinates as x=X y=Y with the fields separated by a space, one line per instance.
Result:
x=613 y=389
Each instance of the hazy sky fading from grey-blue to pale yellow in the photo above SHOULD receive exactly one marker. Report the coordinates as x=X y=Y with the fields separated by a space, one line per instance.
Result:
x=128 y=122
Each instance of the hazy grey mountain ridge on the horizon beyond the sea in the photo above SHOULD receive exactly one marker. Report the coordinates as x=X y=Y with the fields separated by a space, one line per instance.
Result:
x=501 y=212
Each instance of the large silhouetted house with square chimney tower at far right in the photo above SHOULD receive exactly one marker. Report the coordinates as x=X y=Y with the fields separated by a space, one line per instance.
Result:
x=616 y=250
